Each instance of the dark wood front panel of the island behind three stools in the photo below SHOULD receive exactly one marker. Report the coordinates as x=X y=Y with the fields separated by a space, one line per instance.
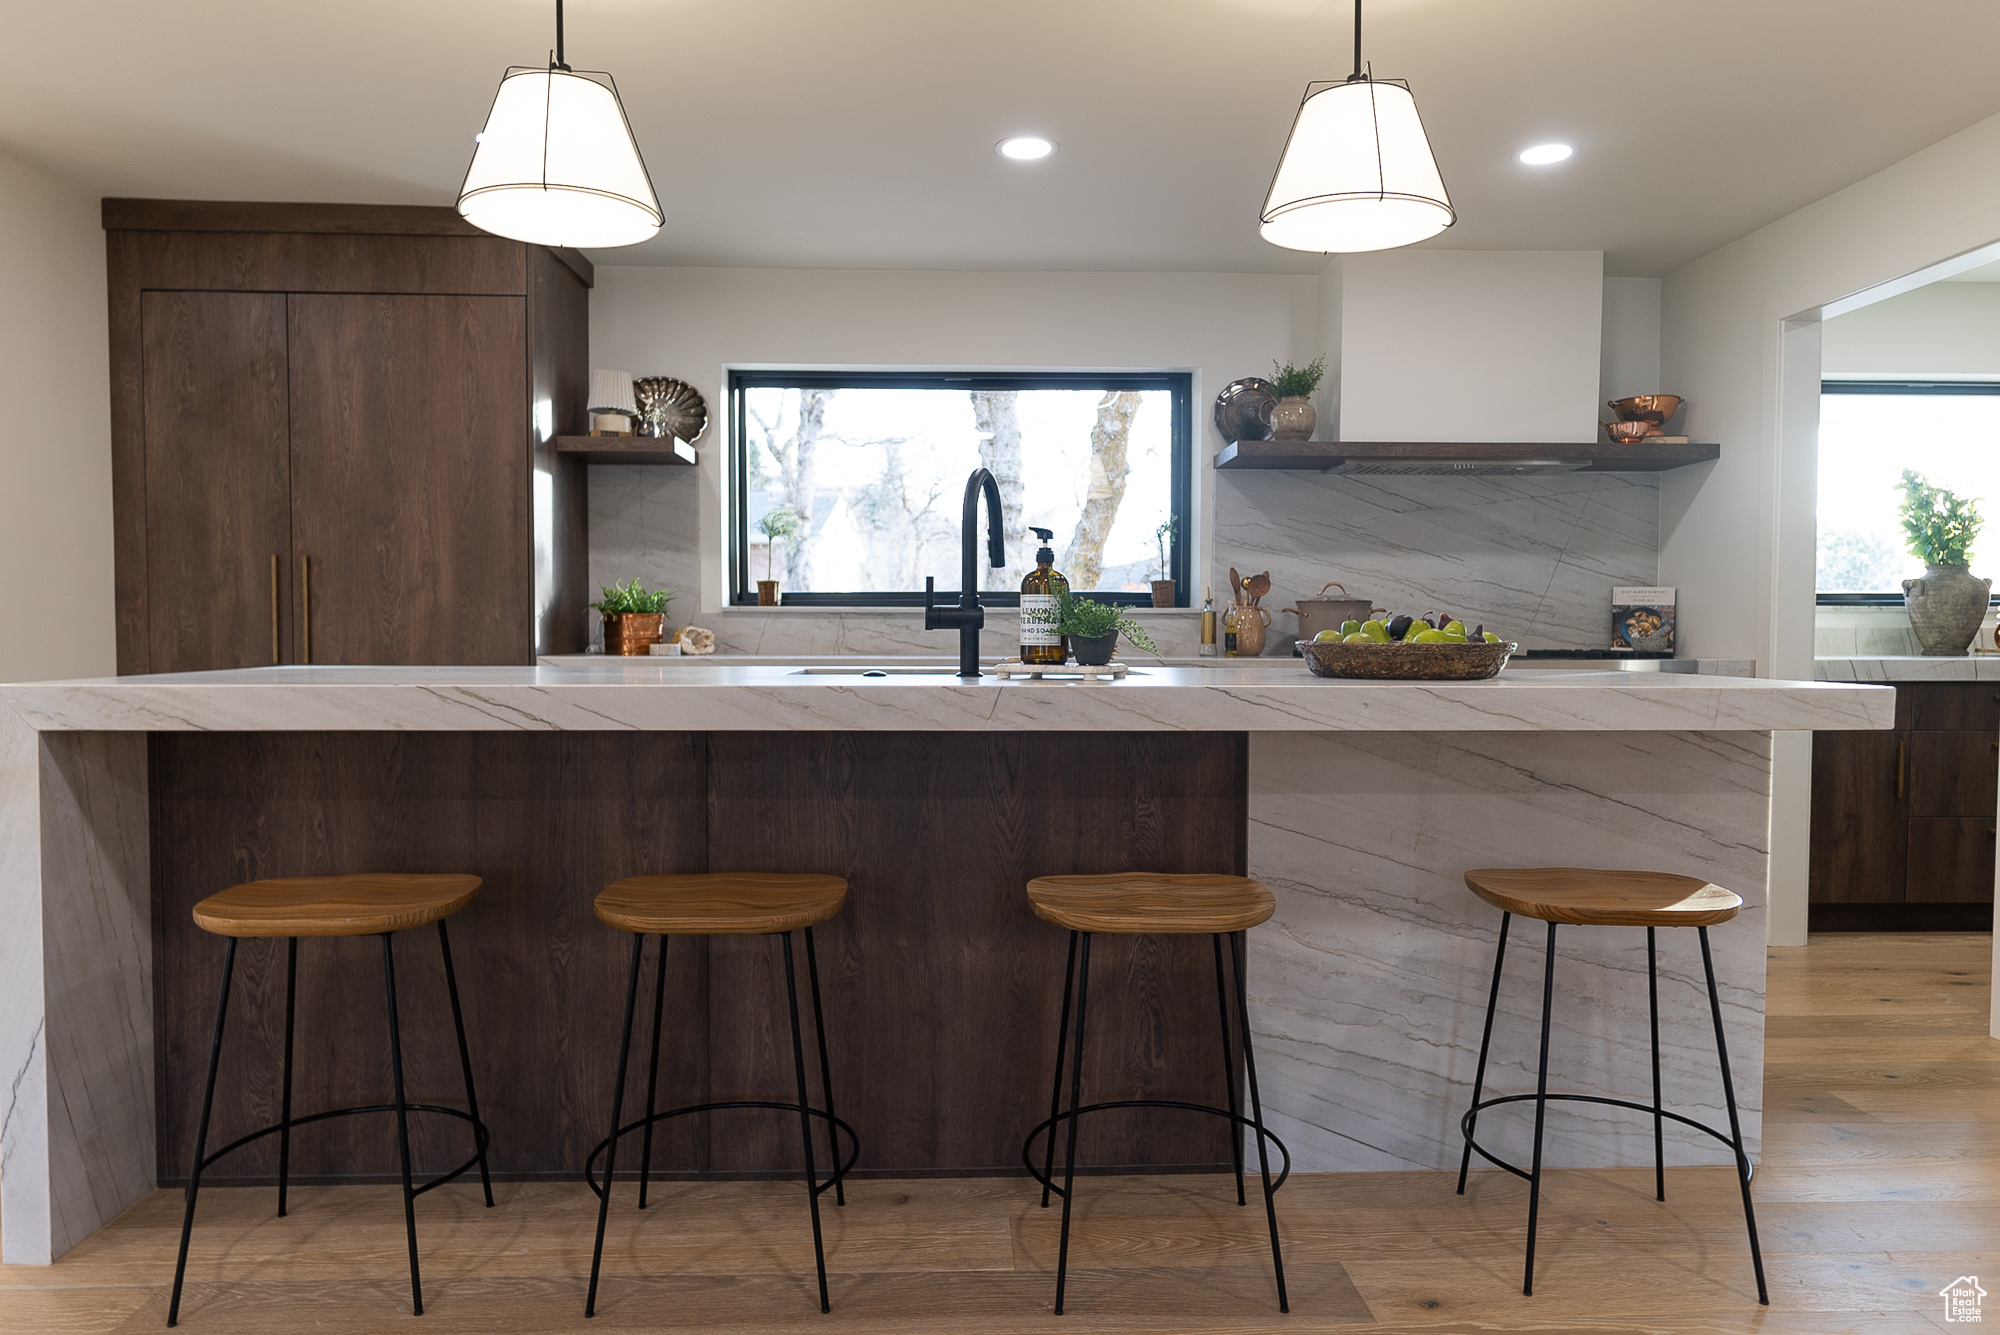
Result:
x=941 y=986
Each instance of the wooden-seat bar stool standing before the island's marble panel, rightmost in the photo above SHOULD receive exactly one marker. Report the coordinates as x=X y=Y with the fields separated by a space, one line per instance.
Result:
x=1583 y=898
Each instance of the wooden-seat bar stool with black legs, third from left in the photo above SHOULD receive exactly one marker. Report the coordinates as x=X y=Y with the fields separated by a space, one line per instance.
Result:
x=1143 y=904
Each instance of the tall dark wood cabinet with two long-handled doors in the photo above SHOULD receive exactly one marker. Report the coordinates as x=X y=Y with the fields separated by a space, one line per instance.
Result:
x=335 y=439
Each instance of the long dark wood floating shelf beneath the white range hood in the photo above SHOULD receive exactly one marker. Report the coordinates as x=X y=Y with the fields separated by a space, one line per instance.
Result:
x=1355 y=457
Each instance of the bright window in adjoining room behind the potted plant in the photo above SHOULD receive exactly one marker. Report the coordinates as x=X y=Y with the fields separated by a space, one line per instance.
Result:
x=1871 y=431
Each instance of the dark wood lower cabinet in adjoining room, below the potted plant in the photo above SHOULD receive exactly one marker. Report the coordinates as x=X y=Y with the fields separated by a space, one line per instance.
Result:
x=1903 y=822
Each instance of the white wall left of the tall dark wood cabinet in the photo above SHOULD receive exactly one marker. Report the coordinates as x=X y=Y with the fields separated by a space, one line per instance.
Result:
x=55 y=433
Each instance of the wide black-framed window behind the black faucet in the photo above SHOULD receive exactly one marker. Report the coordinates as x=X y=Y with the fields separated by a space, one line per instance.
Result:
x=849 y=487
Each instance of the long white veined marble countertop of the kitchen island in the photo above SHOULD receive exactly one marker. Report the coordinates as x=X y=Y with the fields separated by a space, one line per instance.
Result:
x=1259 y=696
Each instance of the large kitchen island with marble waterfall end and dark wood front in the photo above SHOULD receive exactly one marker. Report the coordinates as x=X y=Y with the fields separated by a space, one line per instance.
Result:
x=1357 y=802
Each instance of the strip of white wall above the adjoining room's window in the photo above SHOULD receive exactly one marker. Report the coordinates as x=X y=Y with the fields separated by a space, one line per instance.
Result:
x=1947 y=331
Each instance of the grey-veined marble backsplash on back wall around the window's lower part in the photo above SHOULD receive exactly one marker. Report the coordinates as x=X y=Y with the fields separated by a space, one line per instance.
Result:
x=1533 y=559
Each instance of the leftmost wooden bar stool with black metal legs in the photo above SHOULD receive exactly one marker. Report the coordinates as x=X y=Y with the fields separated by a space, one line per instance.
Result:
x=337 y=906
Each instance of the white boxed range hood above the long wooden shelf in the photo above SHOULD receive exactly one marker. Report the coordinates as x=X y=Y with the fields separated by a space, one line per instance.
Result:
x=1471 y=345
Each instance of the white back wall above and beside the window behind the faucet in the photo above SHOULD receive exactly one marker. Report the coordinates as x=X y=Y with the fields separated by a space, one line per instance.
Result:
x=693 y=323
